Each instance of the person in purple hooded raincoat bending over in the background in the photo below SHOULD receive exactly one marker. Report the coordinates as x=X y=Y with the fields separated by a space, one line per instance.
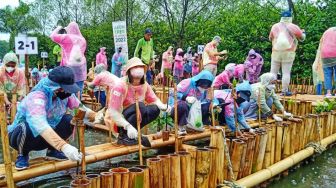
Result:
x=253 y=65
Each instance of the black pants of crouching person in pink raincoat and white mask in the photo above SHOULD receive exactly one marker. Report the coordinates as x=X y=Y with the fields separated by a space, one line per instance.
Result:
x=148 y=114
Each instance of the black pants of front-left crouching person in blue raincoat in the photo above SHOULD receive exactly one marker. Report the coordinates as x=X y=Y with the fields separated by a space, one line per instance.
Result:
x=23 y=140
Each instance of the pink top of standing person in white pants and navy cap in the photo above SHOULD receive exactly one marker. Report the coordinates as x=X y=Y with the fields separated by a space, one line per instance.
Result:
x=295 y=31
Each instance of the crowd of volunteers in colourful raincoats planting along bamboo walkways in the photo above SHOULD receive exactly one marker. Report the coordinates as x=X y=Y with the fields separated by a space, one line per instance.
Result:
x=41 y=121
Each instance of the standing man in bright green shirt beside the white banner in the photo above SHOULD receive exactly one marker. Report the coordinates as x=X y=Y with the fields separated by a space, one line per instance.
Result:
x=145 y=51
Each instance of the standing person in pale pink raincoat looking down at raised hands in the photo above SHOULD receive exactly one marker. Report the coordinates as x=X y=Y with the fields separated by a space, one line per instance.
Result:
x=211 y=56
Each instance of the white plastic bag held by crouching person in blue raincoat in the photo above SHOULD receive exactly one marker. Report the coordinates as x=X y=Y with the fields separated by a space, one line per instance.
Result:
x=195 y=116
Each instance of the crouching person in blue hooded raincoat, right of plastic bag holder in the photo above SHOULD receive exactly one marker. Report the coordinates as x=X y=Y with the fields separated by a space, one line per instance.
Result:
x=226 y=101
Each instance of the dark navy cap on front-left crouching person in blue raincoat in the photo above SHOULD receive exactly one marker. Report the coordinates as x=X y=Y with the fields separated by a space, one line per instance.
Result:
x=65 y=77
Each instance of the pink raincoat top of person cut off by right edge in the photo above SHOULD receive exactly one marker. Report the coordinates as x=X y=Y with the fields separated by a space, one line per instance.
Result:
x=328 y=43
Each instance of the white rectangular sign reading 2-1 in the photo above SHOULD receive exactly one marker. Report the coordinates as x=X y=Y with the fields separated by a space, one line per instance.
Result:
x=26 y=45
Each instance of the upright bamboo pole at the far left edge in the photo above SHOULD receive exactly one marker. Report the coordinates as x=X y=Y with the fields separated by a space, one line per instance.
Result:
x=5 y=143
